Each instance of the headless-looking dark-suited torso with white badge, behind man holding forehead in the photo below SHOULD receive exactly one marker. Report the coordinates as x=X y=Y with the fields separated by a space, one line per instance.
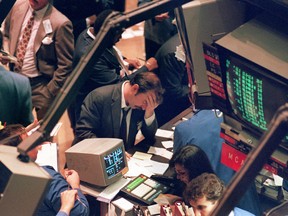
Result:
x=173 y=75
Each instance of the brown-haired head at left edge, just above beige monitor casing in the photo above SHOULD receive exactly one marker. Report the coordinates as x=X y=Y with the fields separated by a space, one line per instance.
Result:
x=13 y=135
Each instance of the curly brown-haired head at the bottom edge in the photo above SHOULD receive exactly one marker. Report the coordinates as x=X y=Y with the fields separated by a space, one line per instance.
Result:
x=203 y=193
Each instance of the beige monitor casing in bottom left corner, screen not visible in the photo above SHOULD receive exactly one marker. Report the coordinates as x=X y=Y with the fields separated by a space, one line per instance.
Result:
x=22 y=184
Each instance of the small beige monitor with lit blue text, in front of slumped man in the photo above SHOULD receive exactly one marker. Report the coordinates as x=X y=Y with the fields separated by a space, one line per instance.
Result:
x=98 y=161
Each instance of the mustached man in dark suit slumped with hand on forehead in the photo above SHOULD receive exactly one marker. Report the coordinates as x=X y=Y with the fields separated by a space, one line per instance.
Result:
x=101 y=111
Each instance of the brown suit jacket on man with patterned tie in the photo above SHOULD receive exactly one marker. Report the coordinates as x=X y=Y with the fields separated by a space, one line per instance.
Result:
x=53 y=60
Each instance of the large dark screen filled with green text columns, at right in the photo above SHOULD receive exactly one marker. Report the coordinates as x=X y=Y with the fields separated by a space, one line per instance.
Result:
x=253 y=92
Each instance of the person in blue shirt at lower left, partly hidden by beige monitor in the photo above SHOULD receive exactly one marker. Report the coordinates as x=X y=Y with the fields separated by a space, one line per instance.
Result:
x=12 y=135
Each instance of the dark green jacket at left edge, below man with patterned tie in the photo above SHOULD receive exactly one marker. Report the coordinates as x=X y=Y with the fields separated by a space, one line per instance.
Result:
x=15 y=98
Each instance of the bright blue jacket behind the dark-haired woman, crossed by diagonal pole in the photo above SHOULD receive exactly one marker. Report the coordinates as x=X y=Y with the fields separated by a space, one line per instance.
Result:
x=203 y=130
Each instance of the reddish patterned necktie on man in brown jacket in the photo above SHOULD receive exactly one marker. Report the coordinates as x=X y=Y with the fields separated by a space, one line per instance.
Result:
x=22 y=45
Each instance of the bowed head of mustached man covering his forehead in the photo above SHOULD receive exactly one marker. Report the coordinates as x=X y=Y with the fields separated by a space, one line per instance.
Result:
x=143 y=85
